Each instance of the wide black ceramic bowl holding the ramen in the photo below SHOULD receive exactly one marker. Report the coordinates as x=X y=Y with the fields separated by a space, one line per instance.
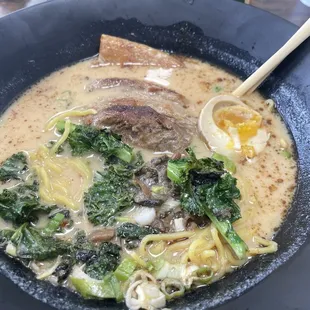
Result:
x=37 y=41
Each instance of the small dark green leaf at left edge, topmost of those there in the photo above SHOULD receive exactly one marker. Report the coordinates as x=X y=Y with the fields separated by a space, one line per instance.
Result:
x=13 y=167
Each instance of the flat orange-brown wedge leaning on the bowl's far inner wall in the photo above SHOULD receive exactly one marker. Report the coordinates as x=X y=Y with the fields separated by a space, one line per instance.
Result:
x=118 y=51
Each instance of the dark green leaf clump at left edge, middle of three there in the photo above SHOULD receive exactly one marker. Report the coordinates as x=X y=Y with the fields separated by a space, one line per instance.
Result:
x=21 y=204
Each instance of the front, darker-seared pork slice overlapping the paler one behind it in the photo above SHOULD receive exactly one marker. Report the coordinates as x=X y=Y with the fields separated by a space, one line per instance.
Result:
x=144 y=127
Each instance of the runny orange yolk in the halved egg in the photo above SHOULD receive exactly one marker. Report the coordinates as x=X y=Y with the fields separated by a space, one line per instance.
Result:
x=246 y=121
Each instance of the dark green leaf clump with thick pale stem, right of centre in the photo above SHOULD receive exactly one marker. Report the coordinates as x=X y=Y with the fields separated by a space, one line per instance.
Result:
x=206 y=189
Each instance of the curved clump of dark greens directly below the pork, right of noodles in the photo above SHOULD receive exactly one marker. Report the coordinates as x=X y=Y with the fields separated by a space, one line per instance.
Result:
x=112 y=190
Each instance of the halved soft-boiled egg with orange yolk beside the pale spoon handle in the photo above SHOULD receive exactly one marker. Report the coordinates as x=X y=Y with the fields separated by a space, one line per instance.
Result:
x=230 y=127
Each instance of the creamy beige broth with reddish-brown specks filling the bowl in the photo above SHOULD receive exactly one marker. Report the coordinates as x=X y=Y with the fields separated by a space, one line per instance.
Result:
x=266 y=182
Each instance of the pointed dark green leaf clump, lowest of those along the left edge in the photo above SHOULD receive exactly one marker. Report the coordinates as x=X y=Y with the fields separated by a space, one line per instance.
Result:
x=30 y=244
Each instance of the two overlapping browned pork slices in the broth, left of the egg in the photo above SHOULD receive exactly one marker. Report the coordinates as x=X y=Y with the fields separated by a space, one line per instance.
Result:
x=146 y=114
